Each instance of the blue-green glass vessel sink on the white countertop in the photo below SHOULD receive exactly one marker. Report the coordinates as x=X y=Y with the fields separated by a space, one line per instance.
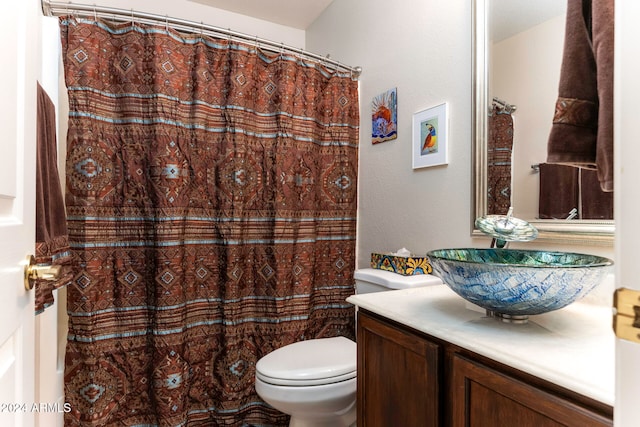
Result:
x=513 y=284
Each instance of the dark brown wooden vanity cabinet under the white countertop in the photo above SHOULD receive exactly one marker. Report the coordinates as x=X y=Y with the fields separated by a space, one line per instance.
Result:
x=407 y=378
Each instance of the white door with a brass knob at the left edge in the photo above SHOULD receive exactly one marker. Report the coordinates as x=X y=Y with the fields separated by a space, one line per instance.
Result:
x=19 y=44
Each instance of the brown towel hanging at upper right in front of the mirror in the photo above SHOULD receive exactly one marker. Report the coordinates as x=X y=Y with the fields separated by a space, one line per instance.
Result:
x=582 y=131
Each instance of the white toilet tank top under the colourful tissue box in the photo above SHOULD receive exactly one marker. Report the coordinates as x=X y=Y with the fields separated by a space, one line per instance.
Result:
x=373 y=280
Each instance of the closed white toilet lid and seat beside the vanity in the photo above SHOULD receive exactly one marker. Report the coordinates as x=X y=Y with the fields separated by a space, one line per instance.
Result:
x=311 y=362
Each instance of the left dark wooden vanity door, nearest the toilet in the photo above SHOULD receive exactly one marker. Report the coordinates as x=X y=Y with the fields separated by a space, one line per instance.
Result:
x=397 y=376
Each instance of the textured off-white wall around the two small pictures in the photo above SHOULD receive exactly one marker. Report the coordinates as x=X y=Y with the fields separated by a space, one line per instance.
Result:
x=422 y=47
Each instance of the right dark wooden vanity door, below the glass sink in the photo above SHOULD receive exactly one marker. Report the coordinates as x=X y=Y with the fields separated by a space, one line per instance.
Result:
x=484 y=397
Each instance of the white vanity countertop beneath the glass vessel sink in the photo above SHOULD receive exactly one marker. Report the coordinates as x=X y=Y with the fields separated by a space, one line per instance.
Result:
x=573 y=347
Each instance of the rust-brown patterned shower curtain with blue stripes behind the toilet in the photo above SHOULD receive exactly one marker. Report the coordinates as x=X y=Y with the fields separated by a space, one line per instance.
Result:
x=211 y=202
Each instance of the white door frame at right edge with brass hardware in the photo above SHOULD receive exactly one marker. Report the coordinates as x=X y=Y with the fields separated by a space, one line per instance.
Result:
x=627 y=209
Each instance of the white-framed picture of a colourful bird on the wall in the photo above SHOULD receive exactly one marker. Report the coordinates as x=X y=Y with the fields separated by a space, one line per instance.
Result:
x=430 y=137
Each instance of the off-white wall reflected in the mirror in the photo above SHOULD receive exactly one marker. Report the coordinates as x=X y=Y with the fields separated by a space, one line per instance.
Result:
x=526 y=72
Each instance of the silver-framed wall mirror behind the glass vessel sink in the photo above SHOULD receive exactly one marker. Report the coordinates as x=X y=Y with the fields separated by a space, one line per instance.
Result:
x=515 y=90
